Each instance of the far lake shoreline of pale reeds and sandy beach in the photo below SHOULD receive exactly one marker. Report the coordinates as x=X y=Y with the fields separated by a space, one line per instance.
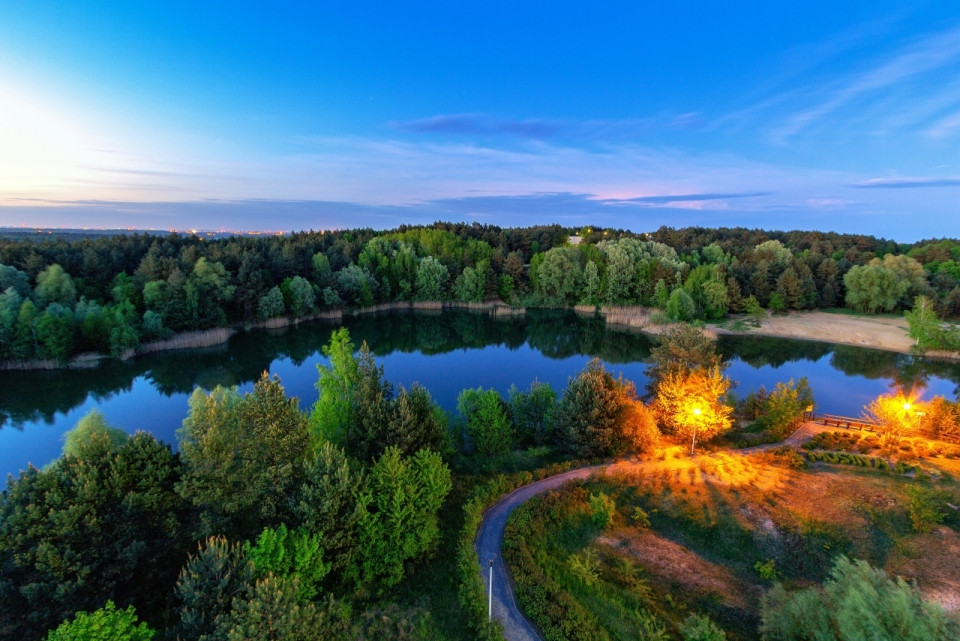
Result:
x=887 y=334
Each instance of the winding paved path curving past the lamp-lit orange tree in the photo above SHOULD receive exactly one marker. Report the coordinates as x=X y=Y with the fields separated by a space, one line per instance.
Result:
x=516 y=627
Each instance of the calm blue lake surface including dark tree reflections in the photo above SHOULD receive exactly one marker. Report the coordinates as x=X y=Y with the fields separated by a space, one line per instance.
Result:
x=444 y=352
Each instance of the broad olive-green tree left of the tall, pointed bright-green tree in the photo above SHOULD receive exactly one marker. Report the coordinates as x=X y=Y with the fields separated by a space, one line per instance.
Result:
x=243 y=455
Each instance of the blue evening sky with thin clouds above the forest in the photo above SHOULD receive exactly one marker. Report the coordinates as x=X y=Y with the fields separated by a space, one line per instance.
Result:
x=838 y=116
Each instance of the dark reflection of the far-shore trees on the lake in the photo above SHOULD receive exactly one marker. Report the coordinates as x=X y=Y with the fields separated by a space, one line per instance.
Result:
x=39 y=396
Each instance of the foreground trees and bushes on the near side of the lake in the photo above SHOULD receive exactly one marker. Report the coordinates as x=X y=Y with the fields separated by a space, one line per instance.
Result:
x=355 y=518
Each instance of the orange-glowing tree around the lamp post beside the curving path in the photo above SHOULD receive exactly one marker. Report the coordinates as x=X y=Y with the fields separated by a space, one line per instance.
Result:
x=688 y=403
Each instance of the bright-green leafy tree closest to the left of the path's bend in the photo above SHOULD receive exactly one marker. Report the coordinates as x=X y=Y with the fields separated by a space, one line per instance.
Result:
x=405 y=495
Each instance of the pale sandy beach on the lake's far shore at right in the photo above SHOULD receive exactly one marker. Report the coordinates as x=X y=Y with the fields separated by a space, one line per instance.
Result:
x=881 y=333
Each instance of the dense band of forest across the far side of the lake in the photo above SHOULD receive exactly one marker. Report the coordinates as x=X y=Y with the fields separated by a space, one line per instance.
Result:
x=62 y=296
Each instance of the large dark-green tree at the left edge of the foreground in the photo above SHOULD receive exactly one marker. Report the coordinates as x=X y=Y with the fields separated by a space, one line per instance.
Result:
x=103 y=524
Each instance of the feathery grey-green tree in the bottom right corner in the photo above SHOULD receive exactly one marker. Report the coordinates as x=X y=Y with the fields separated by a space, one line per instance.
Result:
x=857 y=601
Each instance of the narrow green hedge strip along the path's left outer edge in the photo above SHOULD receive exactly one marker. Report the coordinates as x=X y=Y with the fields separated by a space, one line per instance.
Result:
x=473 y=591
